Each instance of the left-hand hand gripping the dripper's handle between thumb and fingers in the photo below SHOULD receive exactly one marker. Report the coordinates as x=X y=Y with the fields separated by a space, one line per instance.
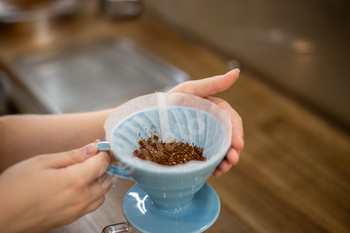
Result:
x=51 y=190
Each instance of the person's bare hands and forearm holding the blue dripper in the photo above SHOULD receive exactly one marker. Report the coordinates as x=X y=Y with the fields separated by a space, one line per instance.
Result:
x=43 y=188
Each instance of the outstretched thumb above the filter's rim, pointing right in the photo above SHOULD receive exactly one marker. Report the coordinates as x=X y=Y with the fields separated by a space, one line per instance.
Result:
x=208 y=86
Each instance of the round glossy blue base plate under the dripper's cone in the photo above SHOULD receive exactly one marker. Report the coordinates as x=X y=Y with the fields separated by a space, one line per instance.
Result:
x=145 y=216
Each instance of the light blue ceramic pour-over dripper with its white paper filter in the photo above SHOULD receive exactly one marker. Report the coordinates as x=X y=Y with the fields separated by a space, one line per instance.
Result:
x=169 y=198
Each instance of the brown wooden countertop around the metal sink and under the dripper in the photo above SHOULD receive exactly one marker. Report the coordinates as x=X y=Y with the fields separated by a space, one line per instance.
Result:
x=293 y=174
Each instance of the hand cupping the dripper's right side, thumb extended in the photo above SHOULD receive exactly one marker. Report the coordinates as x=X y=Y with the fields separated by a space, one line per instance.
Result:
x=210 y=86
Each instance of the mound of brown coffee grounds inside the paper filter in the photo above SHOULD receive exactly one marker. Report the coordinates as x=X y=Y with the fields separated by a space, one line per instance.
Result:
x=168 y=153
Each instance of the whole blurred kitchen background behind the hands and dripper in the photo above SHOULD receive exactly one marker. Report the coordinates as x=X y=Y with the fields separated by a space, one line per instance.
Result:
x=63 y=56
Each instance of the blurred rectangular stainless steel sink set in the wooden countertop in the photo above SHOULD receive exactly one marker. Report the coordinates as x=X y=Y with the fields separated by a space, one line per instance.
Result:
x=96 y=76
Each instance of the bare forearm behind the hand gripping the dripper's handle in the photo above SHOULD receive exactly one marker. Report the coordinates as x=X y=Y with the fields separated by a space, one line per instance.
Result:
x=24 y=136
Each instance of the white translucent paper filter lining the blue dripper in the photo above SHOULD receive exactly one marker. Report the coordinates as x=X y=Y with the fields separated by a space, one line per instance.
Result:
x=172 y=116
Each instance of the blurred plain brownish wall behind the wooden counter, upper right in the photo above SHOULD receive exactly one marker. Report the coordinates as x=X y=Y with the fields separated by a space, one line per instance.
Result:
x=300 y=47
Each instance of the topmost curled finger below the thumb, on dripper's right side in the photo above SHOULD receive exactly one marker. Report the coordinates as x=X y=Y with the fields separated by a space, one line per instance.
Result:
x=236 y=121
